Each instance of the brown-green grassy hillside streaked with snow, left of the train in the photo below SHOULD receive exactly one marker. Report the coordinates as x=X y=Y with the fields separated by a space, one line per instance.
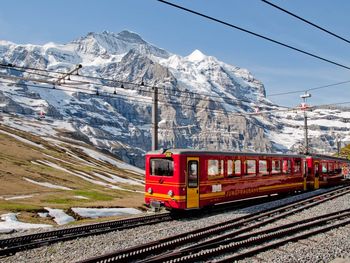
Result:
x=16 y=162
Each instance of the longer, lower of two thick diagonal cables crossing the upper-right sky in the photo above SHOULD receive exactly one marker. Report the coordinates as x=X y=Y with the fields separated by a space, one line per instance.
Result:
x=254 y=34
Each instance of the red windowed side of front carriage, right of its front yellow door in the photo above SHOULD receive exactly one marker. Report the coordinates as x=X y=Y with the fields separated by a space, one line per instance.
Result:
x=220 y=183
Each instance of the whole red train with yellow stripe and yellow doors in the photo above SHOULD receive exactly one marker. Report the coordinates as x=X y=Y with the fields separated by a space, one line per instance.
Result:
x=192 y=179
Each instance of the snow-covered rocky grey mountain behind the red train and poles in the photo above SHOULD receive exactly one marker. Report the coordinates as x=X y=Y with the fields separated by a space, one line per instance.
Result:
x=203 y=102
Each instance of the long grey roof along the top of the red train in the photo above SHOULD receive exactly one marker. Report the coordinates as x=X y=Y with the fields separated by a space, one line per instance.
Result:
x=209 y=152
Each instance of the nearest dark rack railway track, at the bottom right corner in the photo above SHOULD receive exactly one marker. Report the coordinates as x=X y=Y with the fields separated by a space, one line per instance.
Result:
x=279 y=235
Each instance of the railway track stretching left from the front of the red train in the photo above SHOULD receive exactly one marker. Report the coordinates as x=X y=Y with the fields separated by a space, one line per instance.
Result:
x=10 y=246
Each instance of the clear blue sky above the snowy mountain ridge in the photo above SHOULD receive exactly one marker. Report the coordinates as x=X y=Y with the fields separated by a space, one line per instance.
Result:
x=280 y=69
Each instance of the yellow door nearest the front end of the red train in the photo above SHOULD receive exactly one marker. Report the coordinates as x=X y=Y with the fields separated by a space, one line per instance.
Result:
x=192 y=182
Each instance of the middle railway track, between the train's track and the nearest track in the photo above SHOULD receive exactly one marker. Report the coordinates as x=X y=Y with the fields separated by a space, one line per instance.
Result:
x=166 y=244
